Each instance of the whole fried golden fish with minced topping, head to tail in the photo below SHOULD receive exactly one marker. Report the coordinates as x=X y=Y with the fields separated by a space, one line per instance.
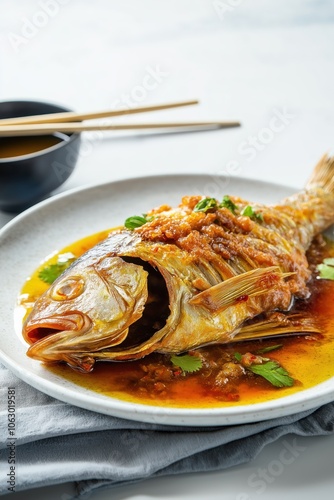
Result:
x=202 y=273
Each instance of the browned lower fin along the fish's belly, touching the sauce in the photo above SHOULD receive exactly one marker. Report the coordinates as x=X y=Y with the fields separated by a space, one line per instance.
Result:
x=277 y=324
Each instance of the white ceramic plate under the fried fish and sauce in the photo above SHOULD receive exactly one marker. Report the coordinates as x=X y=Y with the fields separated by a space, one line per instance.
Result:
x=53 y=224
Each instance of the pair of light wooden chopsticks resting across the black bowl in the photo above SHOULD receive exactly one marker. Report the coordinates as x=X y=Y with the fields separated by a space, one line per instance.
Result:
x=71 y=122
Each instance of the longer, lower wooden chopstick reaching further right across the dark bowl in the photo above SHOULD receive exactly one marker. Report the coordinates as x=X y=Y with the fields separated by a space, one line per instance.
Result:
x=46 y=128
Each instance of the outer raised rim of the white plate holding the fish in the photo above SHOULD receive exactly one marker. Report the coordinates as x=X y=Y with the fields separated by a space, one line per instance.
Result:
x=219 y=416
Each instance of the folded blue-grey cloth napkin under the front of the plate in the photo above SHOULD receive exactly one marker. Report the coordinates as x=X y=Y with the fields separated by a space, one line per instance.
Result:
x=57 y=443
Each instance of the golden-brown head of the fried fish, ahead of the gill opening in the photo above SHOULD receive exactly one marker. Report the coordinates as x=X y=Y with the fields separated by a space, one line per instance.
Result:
x=89 y=307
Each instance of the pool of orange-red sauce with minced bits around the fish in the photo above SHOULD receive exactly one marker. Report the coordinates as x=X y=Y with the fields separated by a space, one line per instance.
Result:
x=220 y=380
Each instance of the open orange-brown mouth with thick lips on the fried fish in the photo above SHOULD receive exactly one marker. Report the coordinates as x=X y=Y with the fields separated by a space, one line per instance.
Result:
x=37 y=329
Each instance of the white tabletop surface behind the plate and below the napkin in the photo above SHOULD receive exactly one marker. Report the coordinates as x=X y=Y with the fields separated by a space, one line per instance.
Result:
x=267 y=64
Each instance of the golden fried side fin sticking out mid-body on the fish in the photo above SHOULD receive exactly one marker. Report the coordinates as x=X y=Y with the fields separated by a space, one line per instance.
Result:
x=239 y=288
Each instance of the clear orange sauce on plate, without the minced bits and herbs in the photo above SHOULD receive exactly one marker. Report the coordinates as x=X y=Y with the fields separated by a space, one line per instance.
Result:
x=308 y=359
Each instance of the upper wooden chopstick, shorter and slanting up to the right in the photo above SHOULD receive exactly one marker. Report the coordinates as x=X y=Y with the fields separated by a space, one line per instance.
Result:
x=71 y=116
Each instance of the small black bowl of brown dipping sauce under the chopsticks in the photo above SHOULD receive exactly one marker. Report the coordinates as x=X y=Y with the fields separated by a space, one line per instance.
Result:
x=28 y=173
